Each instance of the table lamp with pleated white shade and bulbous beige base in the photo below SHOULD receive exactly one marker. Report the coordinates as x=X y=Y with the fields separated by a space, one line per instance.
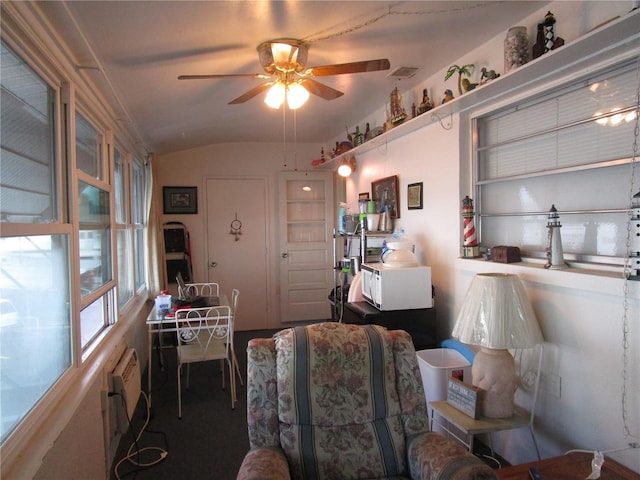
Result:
x=496 y=316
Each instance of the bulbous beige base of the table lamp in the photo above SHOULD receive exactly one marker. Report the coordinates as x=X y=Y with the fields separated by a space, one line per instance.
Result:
x=494 y=371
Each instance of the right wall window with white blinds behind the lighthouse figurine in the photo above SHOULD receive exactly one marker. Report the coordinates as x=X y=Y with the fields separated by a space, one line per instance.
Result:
x=571 y=148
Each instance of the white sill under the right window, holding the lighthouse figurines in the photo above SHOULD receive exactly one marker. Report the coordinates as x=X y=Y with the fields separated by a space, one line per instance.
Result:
x=595 y=280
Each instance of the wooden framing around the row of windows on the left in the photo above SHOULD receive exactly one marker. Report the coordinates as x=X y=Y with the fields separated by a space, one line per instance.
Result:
x=67 y=391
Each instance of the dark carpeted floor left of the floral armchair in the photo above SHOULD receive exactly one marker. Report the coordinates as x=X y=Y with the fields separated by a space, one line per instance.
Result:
x=209 y=441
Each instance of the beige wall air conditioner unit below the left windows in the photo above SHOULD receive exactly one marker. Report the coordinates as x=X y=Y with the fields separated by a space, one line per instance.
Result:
x=126 y=386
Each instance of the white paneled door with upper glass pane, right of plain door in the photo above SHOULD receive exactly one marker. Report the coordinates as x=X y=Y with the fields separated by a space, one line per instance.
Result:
x=306 y=245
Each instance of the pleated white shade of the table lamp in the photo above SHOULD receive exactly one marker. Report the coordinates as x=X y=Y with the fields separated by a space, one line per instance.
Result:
x=496 y=314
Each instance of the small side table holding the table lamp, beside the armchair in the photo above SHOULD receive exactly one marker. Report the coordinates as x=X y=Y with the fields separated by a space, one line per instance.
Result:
x=471 y=427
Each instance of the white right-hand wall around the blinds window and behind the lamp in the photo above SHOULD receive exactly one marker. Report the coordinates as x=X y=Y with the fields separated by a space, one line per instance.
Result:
x=581 y=315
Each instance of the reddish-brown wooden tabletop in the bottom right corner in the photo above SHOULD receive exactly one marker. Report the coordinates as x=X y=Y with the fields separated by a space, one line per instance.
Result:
x=573 y=466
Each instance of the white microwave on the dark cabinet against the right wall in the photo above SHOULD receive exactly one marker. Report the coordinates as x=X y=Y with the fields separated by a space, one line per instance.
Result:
x=404 y=288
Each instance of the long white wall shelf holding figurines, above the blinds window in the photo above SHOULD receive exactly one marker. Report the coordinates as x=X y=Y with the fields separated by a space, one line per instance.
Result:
x=607 y=44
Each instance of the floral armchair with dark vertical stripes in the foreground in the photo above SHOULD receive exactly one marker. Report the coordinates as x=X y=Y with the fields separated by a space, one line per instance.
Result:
x=337 y=401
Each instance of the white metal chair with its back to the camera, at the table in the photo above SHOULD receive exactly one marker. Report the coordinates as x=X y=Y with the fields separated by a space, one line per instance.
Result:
x=205 y=334
